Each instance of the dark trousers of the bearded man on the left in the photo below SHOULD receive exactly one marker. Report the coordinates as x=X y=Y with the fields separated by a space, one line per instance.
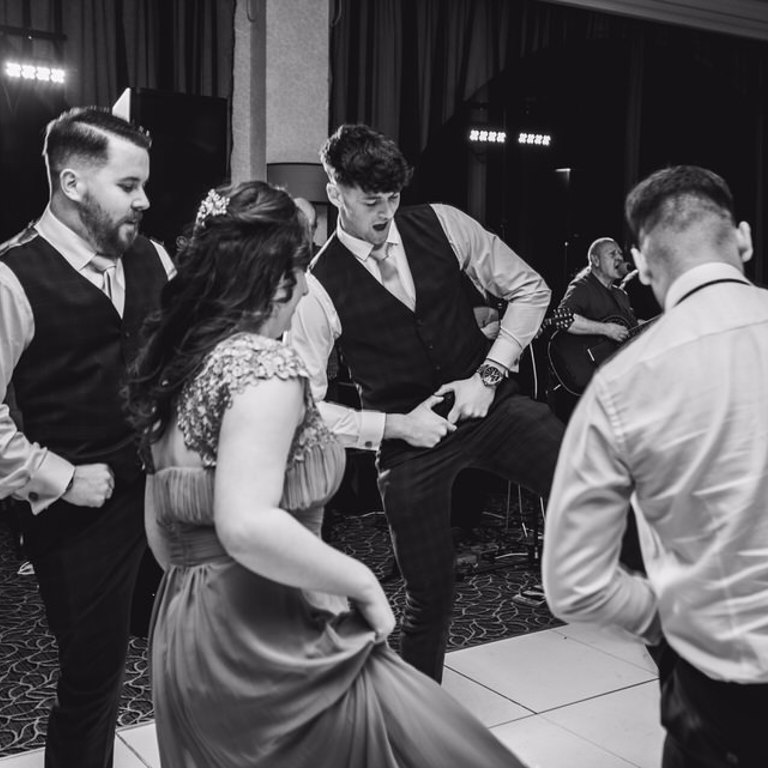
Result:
x=86 y=562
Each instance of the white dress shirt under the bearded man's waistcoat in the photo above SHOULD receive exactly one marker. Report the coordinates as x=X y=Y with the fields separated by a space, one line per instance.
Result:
x=30 y=471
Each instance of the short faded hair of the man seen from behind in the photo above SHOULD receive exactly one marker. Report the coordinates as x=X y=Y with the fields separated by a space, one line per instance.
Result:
x=676 y=198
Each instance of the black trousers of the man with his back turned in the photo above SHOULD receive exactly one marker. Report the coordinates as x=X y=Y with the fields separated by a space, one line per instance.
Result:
x=711 y=723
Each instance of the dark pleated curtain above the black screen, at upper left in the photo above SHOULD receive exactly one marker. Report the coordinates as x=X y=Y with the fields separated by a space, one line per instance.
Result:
x=183 y=46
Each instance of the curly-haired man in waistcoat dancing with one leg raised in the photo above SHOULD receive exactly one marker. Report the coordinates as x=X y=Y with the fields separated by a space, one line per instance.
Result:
x=387 y=288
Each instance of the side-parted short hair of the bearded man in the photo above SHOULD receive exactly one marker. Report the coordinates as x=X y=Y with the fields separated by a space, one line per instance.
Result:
x=83 y=134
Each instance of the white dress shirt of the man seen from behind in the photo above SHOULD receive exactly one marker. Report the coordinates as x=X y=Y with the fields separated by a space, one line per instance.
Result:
x=676 y=423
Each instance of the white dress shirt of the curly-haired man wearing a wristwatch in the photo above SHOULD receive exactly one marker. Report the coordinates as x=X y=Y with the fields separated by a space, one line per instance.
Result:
x=488 y=262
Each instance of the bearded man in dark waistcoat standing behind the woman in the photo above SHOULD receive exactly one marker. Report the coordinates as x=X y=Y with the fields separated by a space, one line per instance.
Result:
x=74 y=290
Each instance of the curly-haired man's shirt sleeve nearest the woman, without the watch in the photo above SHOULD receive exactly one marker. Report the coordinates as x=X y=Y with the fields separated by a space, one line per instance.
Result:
x=314 y=329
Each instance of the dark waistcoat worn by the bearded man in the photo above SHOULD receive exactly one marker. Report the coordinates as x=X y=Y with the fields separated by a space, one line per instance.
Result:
x=67 y=382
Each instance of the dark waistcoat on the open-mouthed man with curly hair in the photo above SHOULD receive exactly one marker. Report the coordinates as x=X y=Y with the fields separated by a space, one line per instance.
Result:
x=396 y=357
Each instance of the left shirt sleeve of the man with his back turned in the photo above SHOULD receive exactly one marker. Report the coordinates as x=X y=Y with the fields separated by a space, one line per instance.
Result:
x=586 y=518
